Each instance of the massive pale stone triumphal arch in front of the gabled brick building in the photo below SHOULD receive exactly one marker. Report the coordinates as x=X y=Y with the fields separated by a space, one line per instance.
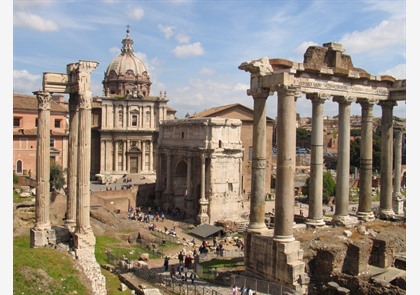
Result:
x=199 y=169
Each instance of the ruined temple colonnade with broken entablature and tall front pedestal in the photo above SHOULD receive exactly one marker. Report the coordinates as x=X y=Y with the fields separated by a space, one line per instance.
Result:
x=326 y=73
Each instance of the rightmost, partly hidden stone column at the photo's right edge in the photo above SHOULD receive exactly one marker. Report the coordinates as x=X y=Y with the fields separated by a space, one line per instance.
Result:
x=397 y=197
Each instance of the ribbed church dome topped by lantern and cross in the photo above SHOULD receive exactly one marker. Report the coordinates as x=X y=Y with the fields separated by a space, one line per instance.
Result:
x=127 y=74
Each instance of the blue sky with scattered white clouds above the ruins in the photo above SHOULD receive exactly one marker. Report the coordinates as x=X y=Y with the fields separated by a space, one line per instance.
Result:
x=192 y=49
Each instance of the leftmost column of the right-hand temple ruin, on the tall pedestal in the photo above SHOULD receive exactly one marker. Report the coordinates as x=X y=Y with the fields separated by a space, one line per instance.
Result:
x=259 y=142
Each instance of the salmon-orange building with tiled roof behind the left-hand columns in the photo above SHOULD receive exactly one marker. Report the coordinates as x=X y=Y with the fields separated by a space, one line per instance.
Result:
x=25 y=126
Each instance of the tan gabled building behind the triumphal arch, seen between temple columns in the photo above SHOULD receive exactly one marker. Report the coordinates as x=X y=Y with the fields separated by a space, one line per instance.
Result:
x=241 y=112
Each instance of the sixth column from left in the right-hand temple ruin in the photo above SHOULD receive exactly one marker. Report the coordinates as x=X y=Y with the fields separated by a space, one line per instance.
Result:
x=385 y=204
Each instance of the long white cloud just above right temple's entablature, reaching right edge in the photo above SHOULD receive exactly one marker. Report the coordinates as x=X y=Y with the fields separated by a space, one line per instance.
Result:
x=387 y=33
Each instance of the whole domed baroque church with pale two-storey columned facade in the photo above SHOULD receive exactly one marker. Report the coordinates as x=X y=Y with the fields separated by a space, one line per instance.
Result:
x=125 y=137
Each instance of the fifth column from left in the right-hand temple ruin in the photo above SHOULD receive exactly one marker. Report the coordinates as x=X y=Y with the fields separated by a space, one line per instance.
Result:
x=364 y=211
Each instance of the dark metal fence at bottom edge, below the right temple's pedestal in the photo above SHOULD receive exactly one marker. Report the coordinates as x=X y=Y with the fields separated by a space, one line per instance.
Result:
x=260 y=286
